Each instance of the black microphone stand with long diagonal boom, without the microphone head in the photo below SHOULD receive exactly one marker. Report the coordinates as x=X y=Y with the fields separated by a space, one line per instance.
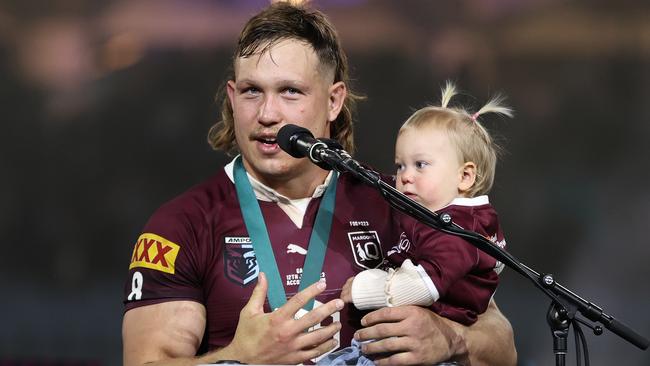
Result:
x=564 y=302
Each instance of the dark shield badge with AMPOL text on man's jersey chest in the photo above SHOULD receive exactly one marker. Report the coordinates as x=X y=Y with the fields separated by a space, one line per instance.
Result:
x=240 y=263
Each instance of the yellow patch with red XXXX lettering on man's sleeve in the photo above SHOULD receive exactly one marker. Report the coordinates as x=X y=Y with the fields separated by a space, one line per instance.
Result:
x=155 y=252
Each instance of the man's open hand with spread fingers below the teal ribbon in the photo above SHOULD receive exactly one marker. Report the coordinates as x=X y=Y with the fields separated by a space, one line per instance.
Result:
x=279 y=338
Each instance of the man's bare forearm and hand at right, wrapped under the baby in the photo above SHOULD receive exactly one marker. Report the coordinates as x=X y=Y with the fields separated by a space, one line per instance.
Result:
x=414 y=335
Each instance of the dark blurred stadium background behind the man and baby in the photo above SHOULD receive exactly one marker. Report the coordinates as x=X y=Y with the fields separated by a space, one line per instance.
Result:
x=106 y=106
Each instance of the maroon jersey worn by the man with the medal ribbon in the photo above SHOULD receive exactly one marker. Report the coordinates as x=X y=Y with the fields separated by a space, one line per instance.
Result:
x=196 y=247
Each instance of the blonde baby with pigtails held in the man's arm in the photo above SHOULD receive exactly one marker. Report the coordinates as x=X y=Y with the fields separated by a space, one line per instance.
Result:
x=446 y=161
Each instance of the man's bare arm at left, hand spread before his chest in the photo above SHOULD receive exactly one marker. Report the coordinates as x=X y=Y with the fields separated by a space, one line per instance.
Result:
x=170 y=333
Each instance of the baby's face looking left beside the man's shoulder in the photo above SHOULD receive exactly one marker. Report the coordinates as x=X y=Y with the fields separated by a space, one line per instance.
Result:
x=428 y=167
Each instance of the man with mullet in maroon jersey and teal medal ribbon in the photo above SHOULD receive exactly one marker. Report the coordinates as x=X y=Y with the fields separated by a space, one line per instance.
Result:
x=207 y=260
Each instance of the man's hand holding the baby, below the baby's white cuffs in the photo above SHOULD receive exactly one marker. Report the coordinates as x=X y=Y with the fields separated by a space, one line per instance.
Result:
x=411 y=335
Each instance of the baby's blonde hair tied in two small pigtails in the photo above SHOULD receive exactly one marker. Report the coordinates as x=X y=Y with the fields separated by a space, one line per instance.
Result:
x=472 y=141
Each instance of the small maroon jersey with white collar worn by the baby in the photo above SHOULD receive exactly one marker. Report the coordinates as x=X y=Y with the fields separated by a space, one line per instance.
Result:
x=464 y=276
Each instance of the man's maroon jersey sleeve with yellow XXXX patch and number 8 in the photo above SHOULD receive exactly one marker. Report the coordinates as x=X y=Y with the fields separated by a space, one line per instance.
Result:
x=165 y=262
